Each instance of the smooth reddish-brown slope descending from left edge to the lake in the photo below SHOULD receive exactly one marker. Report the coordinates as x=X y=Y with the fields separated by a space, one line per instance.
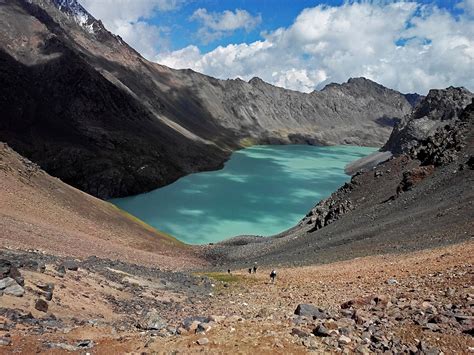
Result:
x=38 y=211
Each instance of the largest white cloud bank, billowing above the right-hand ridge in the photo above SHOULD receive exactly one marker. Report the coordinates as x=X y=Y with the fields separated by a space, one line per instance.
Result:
x=403 y=45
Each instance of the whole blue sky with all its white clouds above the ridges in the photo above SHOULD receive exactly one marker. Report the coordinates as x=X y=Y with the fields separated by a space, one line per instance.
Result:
x=303 y=45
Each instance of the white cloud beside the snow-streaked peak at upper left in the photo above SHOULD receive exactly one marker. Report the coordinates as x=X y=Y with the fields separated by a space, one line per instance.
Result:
x=127 y=18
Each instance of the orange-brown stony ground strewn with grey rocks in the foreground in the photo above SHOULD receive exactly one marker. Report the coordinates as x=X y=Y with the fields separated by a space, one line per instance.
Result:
x=421 y=302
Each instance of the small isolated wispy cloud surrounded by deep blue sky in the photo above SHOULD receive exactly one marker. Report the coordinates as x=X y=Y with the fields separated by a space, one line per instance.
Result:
x=218 y=24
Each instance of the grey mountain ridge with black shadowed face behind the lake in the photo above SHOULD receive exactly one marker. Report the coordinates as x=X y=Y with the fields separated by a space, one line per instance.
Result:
x=89 y=109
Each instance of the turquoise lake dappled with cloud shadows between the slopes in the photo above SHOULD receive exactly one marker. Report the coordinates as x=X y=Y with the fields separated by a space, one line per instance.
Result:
x=262 y=190
